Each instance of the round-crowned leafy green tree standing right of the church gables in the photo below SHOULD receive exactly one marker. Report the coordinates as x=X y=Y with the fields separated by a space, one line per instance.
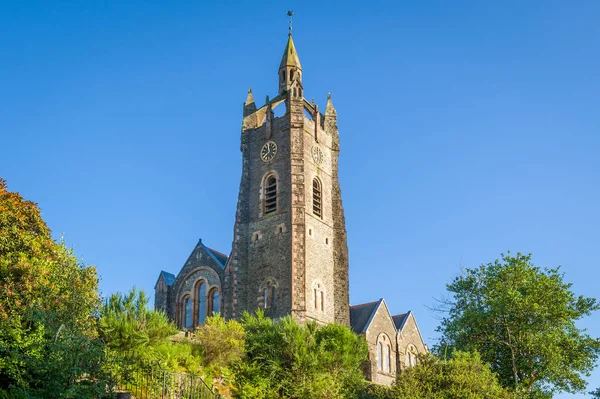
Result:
x=521 y=318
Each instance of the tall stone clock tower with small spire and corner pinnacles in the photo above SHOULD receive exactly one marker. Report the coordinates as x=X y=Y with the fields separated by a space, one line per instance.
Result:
x=289 y=253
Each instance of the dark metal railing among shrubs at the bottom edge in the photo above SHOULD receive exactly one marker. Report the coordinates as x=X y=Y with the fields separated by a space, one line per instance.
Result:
x=151 y=382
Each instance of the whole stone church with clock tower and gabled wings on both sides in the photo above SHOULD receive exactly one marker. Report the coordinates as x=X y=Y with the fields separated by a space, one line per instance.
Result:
x=289 y=254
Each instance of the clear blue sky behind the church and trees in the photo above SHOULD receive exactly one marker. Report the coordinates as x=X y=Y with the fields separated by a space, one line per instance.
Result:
x=468 y=128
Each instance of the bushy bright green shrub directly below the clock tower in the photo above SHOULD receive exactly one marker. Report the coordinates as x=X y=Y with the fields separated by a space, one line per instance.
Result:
x=284 y=359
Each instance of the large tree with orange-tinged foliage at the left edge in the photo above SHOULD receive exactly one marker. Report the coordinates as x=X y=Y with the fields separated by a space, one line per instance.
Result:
x=48 y=346
